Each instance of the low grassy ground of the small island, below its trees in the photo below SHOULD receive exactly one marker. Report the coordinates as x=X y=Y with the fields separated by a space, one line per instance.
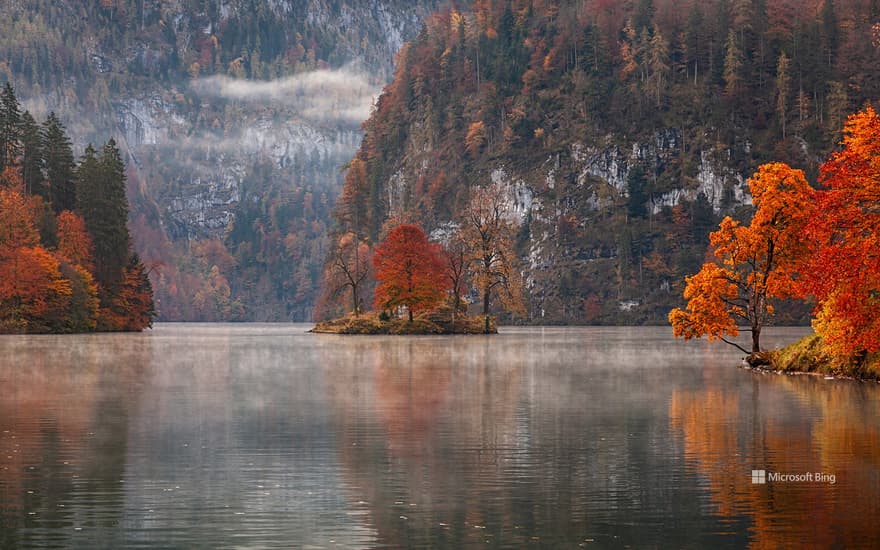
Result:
x=429 y=323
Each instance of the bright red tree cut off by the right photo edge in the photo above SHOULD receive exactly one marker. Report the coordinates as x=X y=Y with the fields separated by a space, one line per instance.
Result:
x=844 y=268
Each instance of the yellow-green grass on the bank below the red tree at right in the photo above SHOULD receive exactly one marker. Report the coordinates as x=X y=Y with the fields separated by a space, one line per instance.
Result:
x=809 y=355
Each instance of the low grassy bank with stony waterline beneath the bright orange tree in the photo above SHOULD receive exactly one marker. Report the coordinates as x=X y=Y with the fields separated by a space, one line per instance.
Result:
x=811 y=356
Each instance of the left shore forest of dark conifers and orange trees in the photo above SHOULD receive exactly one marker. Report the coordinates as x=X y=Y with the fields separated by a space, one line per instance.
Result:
x=66 y=261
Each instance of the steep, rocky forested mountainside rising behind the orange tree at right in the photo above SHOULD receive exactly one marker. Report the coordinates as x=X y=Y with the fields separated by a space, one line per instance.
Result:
x=622 y=131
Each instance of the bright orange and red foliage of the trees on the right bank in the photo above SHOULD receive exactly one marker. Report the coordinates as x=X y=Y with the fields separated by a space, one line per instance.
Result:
x=820 y=244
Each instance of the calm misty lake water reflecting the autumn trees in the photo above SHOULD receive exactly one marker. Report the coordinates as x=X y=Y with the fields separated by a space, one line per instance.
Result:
x=259 y=436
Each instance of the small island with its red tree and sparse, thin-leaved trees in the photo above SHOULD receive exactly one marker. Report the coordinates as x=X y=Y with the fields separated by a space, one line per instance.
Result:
x=420 y=286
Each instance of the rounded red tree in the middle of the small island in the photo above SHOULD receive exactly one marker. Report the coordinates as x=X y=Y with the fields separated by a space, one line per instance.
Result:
x=410 y=271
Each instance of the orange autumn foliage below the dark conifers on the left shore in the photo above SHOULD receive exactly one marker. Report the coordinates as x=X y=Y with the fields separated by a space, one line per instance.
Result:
x=53 y=289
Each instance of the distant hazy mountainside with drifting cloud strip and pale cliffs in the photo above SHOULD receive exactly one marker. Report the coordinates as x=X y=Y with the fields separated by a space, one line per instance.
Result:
x=235 y=117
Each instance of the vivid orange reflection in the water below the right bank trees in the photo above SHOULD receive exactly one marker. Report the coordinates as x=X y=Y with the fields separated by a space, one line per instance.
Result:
x=788 y=425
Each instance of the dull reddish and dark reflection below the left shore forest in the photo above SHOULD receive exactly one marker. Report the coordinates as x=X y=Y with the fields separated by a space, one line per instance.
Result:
x=64 y=420
